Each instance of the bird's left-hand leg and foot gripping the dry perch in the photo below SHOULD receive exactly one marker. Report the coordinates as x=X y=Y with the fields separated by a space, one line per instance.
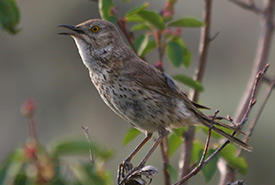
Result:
x=126 y=165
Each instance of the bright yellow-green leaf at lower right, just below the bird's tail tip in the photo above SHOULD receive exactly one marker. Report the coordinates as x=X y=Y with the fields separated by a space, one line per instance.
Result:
x=229 y=153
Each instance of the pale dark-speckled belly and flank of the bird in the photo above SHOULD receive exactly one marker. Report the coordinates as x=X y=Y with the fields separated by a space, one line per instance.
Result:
x=145 y=110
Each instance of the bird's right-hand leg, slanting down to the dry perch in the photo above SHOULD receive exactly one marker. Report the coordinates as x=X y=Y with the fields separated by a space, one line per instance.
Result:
x=162 y=133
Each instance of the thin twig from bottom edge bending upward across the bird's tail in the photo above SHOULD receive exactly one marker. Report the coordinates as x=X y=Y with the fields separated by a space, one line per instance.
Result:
x=202 y=162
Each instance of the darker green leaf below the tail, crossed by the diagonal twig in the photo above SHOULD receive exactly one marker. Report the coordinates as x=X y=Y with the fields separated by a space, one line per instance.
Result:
x=209 y=170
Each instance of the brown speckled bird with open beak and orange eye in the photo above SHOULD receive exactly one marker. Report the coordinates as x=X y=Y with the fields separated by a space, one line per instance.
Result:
x=149 y=99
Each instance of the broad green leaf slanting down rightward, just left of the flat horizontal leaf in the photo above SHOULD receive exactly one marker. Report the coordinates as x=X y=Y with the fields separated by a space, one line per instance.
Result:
x=153 y=18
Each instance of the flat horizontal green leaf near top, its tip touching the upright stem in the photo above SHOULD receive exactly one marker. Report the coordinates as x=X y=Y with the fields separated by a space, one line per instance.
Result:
x=187 y=22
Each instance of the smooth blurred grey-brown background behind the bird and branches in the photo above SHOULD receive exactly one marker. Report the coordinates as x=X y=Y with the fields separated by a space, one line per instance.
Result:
x=38 y=63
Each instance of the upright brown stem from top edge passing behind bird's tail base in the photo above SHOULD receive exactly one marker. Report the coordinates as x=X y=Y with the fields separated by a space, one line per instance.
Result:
x=184 y=163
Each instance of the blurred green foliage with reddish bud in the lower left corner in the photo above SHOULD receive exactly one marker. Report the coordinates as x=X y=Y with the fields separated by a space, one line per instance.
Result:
x=36 y=164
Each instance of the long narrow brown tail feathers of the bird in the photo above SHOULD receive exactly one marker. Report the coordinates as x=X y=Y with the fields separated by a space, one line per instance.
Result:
x=207 y=121
